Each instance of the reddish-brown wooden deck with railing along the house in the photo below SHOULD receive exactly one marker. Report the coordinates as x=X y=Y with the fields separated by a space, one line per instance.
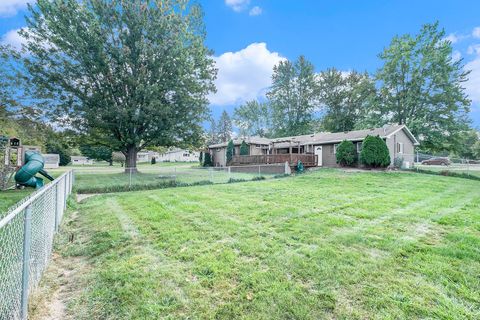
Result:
x=308 y=160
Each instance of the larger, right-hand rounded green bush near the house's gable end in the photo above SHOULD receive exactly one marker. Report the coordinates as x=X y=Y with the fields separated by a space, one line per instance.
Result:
x=374 y=152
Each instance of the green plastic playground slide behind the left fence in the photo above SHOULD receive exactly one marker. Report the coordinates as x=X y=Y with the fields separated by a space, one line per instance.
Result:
x=34 y=163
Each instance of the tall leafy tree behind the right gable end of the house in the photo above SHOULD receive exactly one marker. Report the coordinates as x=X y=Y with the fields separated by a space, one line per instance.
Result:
x=422 y=87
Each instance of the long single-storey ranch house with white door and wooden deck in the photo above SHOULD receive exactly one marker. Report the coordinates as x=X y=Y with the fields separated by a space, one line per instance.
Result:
x=316 y=149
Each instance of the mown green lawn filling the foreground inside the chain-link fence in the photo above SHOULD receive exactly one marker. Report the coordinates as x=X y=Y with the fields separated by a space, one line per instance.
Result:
x=323 y=245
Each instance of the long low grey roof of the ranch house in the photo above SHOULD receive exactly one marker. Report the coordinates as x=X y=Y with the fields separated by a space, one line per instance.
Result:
x=326 y=137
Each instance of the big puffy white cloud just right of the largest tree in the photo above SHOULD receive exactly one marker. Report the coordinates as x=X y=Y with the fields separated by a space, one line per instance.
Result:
x=244 y=75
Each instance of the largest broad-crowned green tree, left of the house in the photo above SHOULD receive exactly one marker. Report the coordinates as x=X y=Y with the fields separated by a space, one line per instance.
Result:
x=132 y=74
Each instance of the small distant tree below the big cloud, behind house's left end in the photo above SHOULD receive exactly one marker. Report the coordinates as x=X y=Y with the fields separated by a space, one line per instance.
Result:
x=253 y=118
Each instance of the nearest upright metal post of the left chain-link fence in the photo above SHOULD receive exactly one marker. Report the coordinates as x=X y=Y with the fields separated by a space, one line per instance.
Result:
x=27 y=233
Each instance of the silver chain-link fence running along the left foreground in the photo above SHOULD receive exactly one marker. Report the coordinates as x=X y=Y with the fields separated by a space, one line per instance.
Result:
x=26 y=240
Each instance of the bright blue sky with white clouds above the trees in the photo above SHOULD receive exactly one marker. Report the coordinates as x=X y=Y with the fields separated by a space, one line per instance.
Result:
x=248 y=37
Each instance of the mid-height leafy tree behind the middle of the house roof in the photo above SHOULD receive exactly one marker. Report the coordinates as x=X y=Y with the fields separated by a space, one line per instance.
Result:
x=345 y=97
